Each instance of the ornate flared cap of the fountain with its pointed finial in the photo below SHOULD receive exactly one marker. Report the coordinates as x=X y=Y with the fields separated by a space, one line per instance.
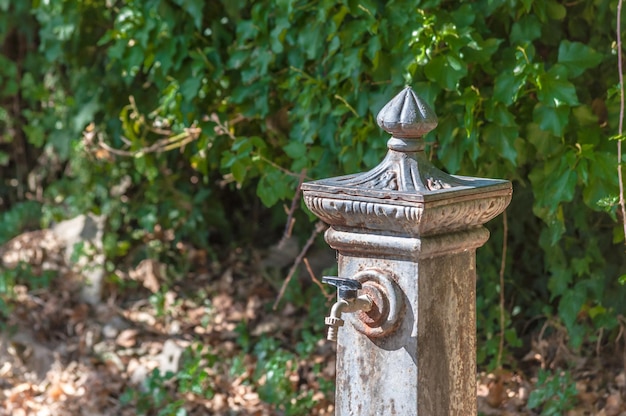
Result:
x=406 y=194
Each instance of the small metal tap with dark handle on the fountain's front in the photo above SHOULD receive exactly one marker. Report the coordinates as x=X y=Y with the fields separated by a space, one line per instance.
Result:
x=349 y=301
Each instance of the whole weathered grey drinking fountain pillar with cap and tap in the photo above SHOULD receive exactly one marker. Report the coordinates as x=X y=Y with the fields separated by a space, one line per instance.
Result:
x=408 y=233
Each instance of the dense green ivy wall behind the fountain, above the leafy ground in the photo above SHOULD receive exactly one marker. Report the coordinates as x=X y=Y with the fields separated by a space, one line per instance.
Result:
x=181 y=115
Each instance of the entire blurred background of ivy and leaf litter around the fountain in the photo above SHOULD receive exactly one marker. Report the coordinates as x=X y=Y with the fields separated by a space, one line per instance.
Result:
x=156 y=257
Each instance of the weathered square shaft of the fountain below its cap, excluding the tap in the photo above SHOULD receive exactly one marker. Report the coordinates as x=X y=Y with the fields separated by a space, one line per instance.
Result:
x=428 y=366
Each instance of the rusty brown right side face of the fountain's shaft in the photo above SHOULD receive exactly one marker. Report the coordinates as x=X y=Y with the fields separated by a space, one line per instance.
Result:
x=447 y=335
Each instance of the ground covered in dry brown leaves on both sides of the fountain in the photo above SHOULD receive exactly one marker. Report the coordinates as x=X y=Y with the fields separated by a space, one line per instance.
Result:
x=212 y=344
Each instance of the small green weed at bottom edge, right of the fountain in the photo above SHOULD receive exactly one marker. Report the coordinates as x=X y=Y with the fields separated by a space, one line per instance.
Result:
x=554 y=394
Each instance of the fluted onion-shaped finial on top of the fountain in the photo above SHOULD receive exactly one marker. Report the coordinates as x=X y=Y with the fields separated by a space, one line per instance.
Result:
x=407 y=116
